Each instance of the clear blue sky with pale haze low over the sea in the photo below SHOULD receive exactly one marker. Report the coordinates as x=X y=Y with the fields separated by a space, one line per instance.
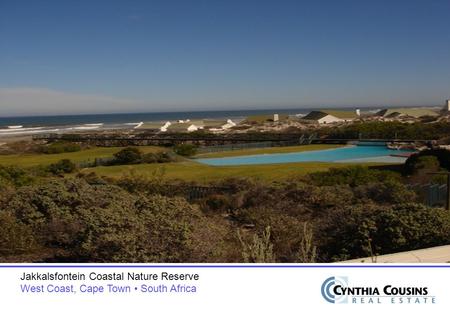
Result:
x=89 y=56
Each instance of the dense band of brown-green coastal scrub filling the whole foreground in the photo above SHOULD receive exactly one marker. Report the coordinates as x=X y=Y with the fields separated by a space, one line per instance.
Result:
x=330 y=216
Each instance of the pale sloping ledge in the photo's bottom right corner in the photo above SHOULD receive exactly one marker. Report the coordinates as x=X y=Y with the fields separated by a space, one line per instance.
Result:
x=439 y=254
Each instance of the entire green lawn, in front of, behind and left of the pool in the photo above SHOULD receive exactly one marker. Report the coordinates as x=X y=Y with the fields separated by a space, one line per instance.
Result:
x=187 y=170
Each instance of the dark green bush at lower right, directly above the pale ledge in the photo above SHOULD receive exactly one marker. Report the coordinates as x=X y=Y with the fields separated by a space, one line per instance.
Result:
x=360 y=231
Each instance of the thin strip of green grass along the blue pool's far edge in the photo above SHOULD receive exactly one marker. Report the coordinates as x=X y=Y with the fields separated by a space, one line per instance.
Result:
x=270 y=150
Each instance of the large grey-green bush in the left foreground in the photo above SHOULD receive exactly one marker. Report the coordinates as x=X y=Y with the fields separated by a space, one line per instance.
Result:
x=80 y=222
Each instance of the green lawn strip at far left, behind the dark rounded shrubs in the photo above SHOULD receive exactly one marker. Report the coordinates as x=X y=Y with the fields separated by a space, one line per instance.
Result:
x=84 y=155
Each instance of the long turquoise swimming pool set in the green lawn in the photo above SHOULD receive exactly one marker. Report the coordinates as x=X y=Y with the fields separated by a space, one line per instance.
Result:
x=343 y=154
